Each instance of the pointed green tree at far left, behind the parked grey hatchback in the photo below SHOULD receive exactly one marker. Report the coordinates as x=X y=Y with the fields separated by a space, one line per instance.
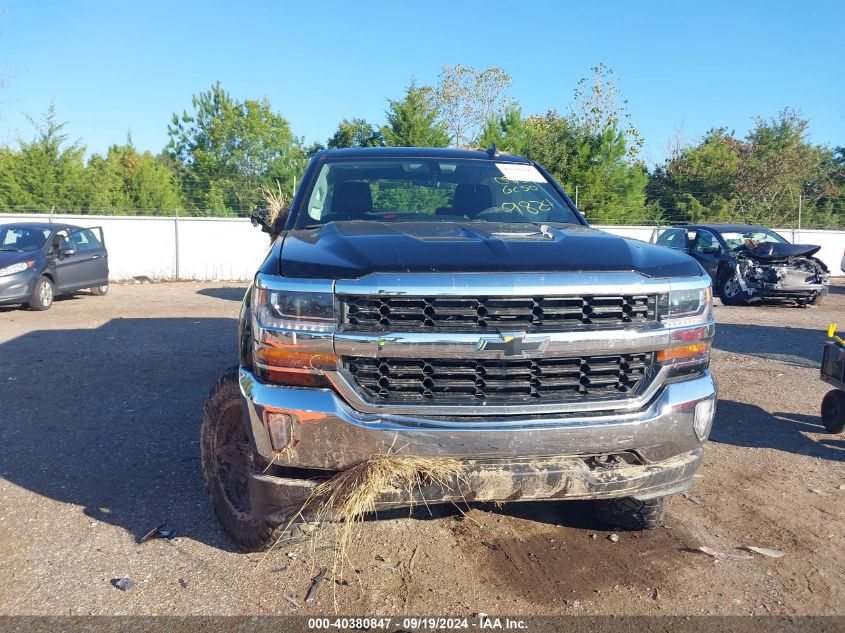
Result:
x=47 y=171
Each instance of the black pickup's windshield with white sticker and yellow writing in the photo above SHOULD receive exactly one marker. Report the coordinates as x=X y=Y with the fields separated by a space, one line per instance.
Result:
x=437 y=190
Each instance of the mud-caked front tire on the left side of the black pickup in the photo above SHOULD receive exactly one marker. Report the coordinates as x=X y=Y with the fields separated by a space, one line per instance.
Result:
x=227 y=462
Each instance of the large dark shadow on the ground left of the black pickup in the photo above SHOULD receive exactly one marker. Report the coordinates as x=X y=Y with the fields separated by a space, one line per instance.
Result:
x=116 y=430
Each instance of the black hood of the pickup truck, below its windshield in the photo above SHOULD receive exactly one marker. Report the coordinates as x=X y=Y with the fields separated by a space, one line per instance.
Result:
x=348 y=250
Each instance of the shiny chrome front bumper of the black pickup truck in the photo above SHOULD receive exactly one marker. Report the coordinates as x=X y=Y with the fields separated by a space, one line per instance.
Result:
x=325 y=433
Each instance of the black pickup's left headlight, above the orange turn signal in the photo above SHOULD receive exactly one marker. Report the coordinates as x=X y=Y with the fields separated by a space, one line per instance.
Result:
x=294 y=310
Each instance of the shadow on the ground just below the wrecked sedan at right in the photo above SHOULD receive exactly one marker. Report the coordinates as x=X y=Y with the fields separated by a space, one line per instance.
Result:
x=797 y=346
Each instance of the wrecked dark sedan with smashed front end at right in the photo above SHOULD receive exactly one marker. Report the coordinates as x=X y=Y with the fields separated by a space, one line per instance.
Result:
x=749 y=263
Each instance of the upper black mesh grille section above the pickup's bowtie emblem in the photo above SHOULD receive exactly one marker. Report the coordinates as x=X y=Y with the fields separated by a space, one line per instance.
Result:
x=366 y=313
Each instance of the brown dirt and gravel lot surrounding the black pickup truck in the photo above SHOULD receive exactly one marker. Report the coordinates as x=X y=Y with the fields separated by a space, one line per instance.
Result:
x=100 y=403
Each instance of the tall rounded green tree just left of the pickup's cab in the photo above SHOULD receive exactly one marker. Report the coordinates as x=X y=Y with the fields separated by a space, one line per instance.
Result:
x=227 y=149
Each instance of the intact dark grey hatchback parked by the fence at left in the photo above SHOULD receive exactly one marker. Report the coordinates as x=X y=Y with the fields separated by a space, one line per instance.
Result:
x=40 y=260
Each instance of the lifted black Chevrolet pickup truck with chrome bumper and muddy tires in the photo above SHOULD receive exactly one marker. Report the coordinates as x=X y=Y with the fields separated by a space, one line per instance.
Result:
x=455 y=304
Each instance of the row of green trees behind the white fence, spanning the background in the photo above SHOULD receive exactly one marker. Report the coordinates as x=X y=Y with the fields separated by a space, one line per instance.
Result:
x=223 y=152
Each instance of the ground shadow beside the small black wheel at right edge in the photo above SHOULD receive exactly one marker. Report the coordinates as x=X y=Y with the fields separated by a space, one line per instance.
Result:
x=748 y=425
